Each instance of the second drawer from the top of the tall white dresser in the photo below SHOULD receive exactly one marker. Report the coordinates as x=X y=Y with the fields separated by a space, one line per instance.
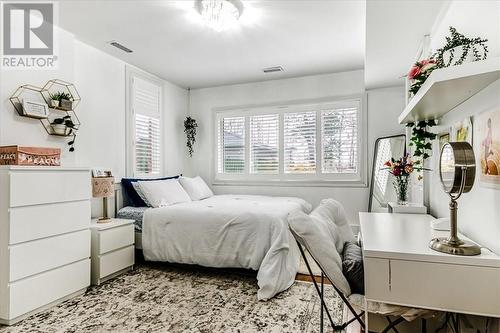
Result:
x=34 y=222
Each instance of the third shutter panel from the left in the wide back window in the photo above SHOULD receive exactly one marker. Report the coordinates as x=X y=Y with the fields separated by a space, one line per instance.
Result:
x=299 y=142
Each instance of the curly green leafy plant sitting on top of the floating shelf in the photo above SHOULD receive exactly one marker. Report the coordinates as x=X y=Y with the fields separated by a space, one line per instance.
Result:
x=469 y=44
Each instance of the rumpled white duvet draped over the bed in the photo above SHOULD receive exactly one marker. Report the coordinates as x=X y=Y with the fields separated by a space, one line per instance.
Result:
x=243 y=231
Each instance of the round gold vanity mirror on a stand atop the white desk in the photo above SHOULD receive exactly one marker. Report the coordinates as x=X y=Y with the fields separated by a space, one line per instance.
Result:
x=457 y=169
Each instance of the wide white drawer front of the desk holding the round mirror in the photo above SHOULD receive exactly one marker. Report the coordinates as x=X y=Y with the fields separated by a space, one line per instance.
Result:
x=458 y=288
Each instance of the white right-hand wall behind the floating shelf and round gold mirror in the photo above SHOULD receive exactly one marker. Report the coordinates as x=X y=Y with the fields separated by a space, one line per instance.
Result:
x=479 y=210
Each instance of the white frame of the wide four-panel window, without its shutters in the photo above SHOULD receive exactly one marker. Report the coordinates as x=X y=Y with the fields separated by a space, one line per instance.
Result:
x=315 y=180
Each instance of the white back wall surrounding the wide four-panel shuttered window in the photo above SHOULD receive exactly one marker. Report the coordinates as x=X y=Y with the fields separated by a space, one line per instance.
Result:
x=383 y=106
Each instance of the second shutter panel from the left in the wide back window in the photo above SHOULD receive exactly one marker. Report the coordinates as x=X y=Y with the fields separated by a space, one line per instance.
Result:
x=264 y=146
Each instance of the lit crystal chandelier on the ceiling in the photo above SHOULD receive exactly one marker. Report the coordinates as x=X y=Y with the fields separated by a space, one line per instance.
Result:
x=219 y=14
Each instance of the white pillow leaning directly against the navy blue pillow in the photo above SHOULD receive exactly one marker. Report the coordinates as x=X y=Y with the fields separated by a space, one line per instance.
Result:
x=163 y=192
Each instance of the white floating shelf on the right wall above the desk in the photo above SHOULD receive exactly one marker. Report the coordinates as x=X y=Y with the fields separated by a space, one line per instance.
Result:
x=449 y=87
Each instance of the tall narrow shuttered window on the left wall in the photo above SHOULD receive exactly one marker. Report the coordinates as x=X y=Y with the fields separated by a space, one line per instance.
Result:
x=146 y=106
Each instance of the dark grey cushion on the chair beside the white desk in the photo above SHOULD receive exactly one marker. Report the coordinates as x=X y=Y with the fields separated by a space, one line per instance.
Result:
x=352 y=267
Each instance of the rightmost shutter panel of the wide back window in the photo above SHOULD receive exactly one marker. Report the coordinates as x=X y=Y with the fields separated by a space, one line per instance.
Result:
x=339 y=140
